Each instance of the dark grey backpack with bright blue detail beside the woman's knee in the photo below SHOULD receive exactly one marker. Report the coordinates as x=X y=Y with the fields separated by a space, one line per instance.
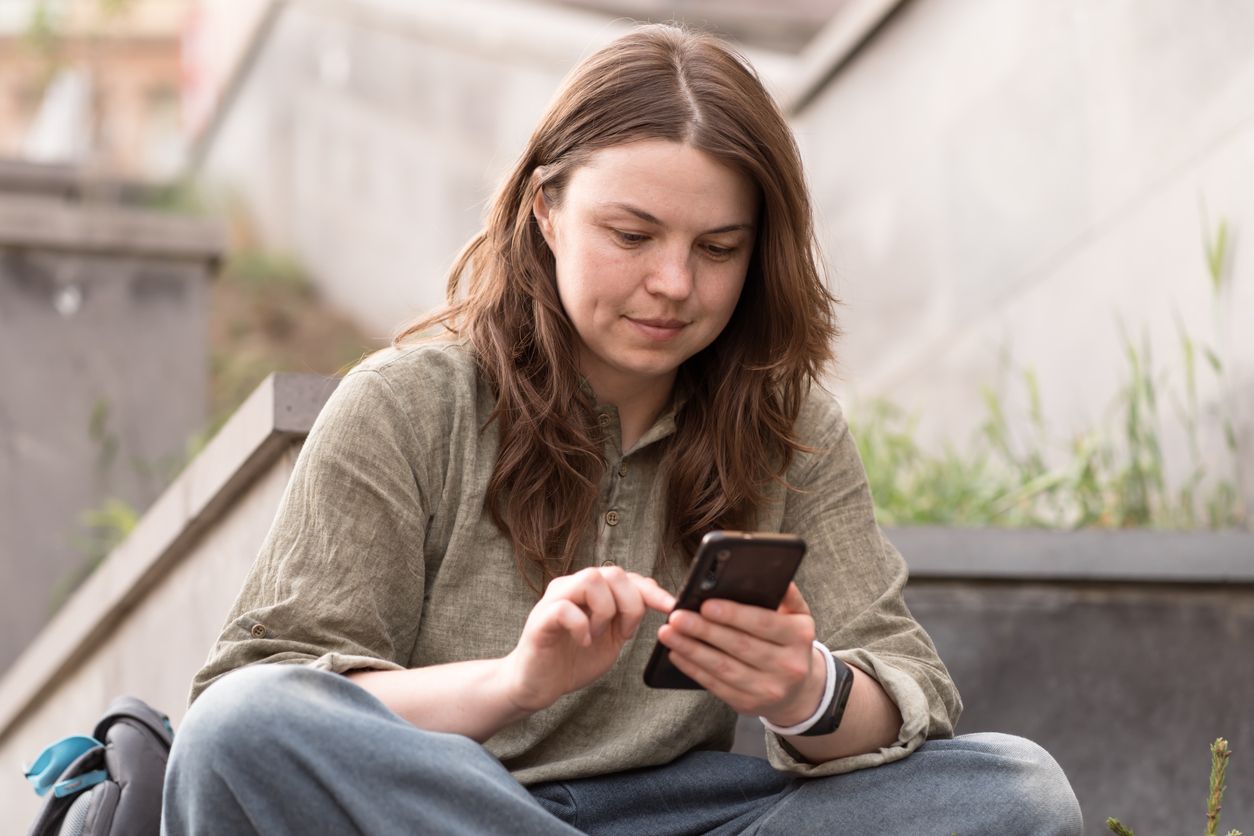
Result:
x=110 y=784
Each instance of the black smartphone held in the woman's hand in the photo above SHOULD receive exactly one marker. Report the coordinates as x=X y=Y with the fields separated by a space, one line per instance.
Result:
x=746 y=567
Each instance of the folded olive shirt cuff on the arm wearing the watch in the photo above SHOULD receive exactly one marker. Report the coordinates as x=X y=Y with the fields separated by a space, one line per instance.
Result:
x=902 y=690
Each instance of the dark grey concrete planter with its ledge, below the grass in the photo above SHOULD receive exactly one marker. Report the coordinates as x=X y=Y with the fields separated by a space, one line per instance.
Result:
x=1124 y=654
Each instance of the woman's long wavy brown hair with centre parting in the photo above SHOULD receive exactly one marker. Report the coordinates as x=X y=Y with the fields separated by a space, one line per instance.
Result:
x=735 y=433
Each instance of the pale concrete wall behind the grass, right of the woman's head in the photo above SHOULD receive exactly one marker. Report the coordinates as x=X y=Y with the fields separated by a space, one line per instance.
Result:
x=1015 y=176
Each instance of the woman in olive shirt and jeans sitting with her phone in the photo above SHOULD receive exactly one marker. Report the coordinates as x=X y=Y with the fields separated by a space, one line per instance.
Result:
x=483 y=535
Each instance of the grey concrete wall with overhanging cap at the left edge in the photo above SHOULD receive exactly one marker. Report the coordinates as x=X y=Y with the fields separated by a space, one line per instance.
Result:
x=103 y=380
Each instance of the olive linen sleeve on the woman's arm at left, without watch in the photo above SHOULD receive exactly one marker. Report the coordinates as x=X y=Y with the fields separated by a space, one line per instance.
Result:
x=340 y=578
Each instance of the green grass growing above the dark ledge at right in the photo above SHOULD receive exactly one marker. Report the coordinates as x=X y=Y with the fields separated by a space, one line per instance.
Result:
x=1014 y=474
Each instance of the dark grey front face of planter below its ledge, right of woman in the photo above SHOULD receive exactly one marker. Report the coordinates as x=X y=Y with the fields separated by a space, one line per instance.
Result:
x=1125 y=685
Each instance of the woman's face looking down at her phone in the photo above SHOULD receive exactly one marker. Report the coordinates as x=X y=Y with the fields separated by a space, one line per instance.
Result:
x=653 y=241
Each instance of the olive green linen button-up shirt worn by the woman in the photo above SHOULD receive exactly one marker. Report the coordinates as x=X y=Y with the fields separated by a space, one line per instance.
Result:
x=383 y=557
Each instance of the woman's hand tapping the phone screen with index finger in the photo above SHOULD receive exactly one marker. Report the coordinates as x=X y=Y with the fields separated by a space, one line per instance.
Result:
x=576 y=632
